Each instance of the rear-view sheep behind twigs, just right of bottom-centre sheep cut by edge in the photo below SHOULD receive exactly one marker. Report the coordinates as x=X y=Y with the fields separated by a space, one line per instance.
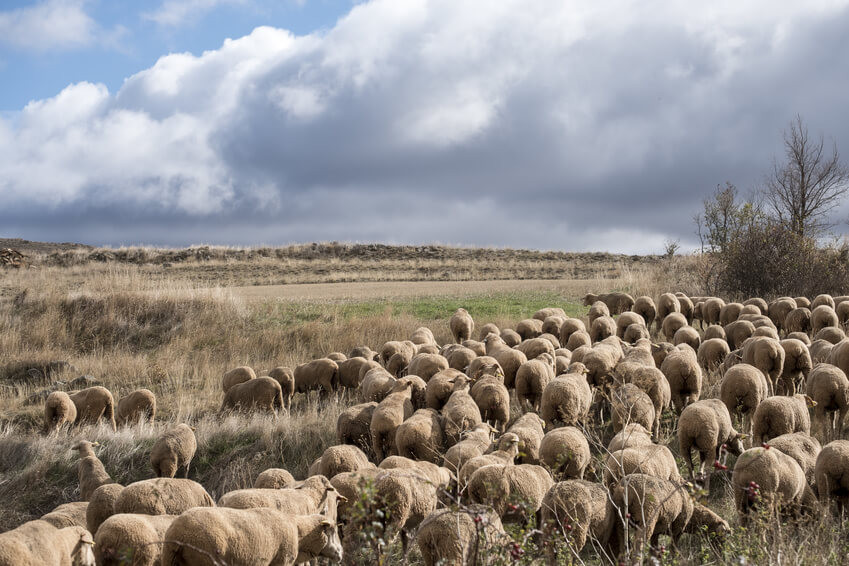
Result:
x=576 y=509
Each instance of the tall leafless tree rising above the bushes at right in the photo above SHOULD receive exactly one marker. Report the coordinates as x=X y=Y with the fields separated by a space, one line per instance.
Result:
x=810 y=184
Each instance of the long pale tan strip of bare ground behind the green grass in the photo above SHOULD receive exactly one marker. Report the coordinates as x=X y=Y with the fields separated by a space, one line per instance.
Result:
x=393 y=289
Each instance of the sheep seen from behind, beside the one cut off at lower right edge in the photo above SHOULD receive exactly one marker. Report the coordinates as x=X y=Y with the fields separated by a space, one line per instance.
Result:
x=764 y=474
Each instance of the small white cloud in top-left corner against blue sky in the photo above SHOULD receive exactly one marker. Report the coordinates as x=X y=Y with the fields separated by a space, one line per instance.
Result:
x=49 y=24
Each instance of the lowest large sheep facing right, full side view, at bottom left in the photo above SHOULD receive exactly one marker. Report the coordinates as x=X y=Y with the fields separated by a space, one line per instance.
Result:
x=249 y=536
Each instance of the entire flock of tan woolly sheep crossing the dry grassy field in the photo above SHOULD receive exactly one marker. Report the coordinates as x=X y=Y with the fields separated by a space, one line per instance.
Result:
x=434 y=443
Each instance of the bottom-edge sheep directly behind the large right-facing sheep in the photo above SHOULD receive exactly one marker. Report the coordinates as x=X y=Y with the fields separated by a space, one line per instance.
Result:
x=127 y=535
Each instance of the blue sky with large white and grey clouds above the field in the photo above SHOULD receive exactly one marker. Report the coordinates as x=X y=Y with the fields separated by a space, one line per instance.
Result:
x=553 y=124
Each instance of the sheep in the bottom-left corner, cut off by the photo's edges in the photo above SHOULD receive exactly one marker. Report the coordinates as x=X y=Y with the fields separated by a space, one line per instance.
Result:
x=38 y=543
